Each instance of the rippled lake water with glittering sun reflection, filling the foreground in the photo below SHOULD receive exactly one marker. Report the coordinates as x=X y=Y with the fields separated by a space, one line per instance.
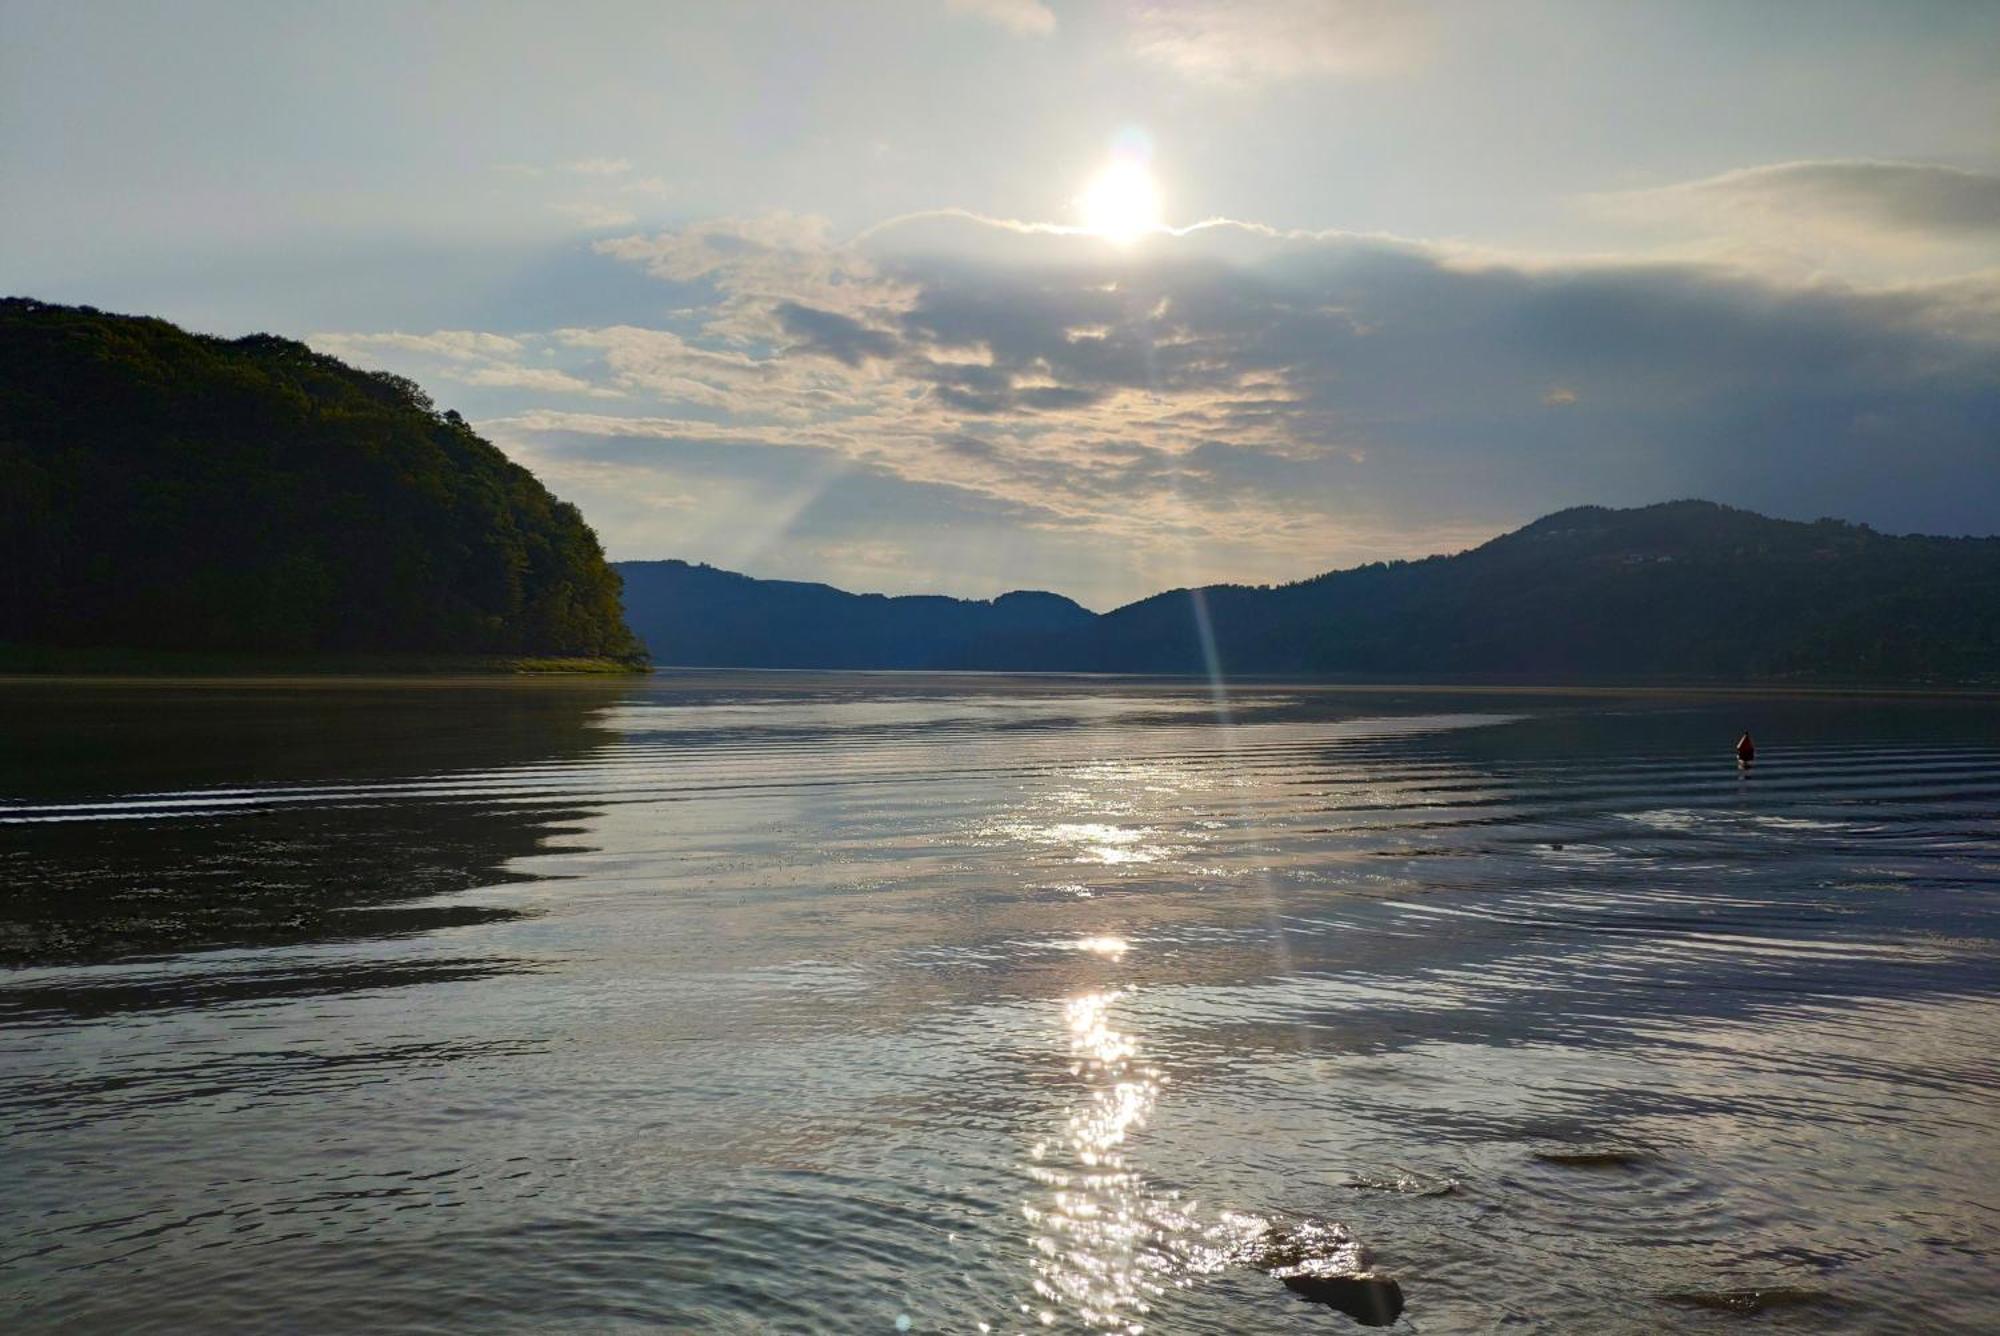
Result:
x=877 y=1003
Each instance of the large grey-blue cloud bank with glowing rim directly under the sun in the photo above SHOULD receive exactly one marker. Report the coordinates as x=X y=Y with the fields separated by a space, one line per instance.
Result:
x=1233 y=373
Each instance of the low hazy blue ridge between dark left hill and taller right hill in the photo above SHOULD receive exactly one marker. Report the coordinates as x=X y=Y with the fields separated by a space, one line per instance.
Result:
x=701 y=617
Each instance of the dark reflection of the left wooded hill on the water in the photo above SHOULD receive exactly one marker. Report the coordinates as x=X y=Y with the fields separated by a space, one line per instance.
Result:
x=171 y=819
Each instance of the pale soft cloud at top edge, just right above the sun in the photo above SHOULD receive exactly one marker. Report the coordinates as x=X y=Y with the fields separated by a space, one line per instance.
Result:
x=1245 y=45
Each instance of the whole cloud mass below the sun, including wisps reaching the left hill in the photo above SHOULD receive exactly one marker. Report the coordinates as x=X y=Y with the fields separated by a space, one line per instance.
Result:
x=1239 y=403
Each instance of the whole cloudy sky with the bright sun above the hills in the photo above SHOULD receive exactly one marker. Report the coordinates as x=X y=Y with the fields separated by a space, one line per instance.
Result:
x=1107 y=299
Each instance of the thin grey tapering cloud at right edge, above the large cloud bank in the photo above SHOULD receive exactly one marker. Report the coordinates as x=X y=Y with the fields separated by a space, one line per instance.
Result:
x=1891 y=199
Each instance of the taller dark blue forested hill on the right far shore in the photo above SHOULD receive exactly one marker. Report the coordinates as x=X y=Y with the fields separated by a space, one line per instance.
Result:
x=1675 y=591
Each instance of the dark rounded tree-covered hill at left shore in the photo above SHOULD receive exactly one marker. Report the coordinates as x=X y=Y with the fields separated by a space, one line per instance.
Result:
x=169 y=491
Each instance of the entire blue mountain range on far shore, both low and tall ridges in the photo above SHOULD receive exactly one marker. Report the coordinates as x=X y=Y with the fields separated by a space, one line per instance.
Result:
x=1685 y=591
